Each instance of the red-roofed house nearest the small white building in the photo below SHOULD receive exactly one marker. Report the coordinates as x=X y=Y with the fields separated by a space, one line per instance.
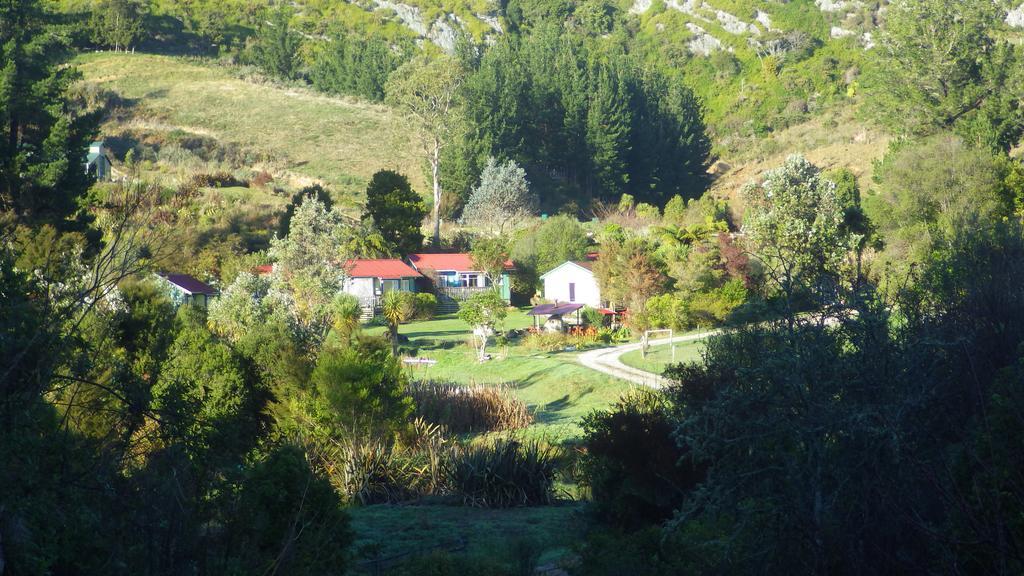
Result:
x=457 y=278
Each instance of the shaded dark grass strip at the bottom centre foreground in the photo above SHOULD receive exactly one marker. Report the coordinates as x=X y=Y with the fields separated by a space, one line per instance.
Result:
x=387 y=531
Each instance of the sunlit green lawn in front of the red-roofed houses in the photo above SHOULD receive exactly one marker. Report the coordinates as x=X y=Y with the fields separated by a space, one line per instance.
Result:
x=558 y=390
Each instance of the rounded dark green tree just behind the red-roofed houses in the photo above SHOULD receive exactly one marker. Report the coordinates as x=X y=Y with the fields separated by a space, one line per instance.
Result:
x=396 y=211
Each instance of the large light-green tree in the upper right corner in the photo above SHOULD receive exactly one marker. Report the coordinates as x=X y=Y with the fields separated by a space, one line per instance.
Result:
x=949 y=66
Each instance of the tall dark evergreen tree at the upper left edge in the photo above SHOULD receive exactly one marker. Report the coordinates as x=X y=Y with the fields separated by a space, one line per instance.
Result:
x=44 y=140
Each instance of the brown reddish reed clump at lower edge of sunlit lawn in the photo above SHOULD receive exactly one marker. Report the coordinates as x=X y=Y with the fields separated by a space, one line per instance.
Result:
x=464 y=409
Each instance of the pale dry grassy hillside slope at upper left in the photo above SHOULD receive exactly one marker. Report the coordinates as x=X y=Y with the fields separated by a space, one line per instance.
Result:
x=300 y=133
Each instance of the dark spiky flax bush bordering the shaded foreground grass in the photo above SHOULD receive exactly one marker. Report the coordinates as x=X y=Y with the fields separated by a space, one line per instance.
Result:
x=503 y=475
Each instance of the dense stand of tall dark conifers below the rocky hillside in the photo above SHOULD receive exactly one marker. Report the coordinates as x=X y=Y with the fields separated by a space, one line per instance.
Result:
x=583 y=122
